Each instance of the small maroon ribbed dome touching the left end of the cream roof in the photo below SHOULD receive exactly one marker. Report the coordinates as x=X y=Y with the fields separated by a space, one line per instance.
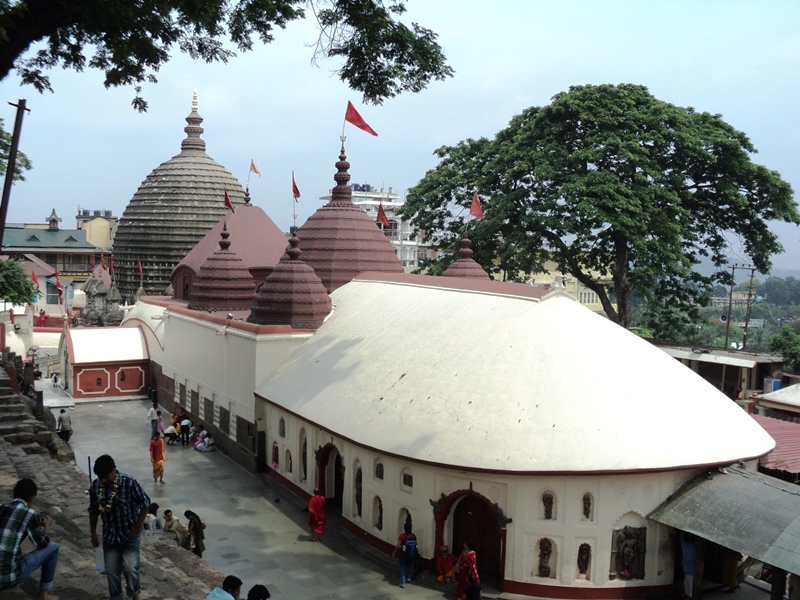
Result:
x=291 y=295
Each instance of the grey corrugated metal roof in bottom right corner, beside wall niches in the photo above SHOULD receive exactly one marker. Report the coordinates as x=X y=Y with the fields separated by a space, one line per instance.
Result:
x=741 y=509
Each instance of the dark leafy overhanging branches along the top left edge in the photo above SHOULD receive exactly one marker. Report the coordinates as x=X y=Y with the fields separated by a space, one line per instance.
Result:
x=130 y=41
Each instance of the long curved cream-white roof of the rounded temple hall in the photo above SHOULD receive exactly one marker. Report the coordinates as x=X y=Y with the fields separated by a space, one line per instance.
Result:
x=493 y=381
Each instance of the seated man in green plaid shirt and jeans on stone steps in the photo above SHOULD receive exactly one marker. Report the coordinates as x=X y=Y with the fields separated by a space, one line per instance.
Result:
x=18 y=521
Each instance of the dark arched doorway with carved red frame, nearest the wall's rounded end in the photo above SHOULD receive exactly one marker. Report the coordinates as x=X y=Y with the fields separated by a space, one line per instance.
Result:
x=474 y=518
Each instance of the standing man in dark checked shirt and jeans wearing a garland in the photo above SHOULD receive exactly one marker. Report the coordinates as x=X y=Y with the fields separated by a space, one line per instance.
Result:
x=123 y=505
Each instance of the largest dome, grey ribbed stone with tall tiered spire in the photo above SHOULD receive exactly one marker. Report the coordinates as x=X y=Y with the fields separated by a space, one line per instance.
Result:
x=176 y=205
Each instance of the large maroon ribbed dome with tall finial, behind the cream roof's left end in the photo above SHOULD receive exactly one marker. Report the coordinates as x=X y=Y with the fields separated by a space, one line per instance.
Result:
x=340 y=240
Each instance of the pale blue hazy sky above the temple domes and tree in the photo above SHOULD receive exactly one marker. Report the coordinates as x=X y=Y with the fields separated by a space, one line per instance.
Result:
x=89 y=148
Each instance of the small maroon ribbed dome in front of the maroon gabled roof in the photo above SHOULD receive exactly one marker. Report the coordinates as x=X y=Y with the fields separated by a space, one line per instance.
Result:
x=223 y=282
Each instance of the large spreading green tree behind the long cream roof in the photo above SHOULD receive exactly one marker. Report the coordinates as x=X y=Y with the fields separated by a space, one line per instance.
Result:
x=610 y=183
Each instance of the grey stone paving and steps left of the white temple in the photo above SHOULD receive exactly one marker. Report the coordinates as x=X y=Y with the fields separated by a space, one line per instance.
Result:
x=255 y=529
